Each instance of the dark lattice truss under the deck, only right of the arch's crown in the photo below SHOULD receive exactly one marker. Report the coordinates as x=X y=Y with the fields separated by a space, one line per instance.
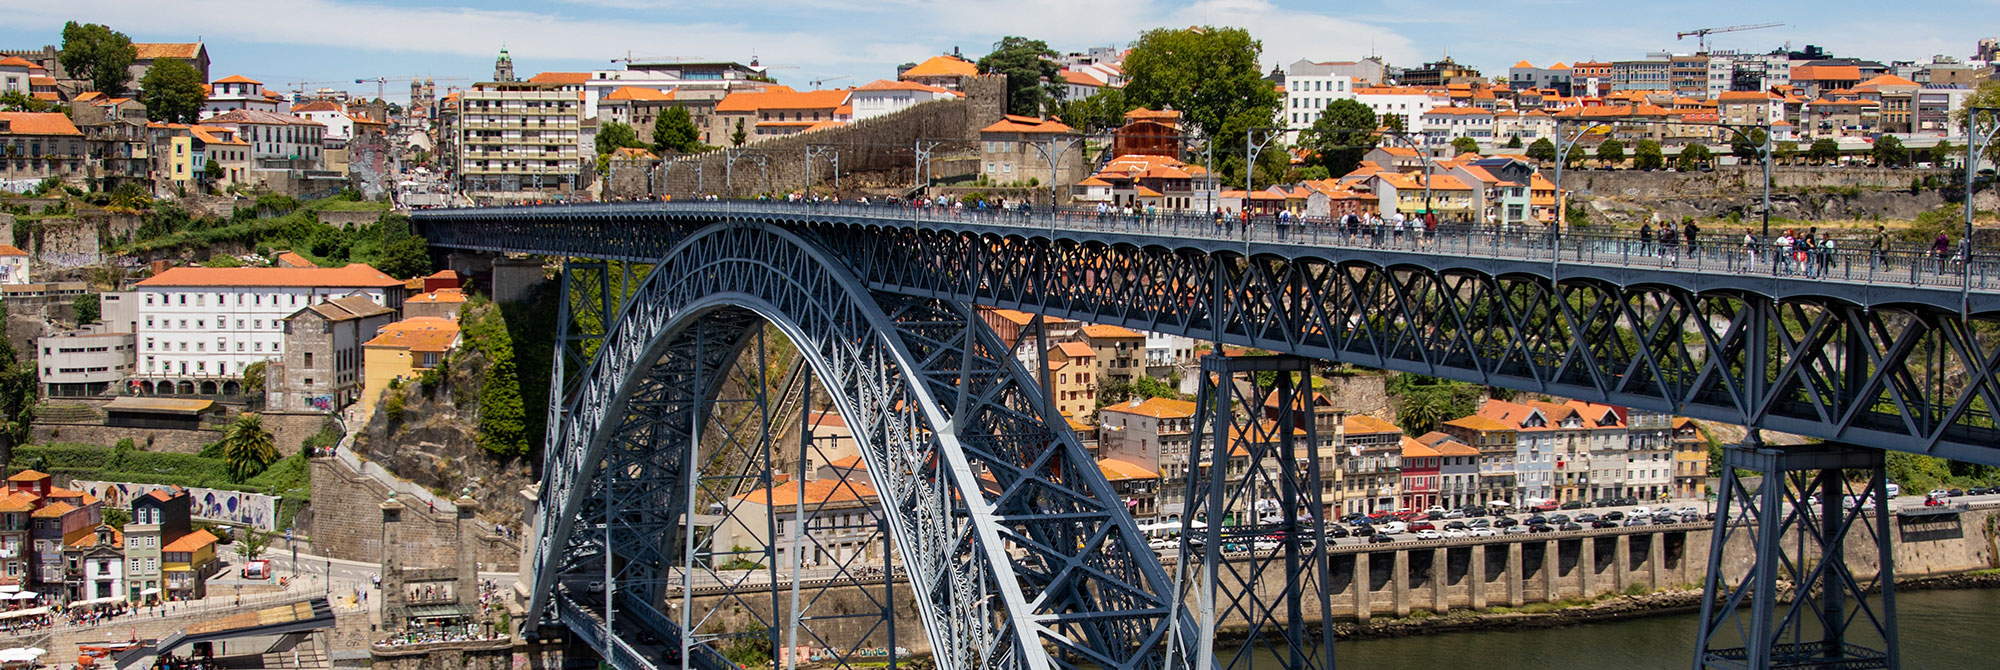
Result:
x=1901 y=377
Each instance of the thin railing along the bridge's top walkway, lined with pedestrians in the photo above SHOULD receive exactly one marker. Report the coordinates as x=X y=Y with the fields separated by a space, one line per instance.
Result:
x=1725 y=253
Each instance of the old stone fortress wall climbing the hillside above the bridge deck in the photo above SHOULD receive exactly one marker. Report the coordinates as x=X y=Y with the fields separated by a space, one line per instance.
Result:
x=877 y=151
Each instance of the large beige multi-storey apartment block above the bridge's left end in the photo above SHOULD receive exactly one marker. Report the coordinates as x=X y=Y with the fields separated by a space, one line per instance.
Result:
x=519 y=141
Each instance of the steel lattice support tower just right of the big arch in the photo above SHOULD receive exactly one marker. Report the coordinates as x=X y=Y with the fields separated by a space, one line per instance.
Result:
x=1255 y=513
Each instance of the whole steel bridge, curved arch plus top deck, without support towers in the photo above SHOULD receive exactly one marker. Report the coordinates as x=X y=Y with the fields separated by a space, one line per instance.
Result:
x=1041 y=557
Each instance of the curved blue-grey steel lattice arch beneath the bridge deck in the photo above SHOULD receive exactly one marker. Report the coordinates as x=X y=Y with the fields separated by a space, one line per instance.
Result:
x=1015 y=545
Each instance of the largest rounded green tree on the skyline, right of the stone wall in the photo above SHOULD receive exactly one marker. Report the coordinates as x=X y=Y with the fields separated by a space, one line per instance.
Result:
x=1211 y=75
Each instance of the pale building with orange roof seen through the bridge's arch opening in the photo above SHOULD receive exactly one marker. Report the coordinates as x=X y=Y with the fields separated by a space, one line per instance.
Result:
x=839 y=519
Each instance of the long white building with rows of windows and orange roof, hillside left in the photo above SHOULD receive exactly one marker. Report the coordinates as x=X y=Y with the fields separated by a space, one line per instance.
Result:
x=201 y=327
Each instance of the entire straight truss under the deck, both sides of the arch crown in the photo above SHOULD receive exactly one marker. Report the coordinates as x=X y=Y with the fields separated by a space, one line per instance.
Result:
x=1873 y=365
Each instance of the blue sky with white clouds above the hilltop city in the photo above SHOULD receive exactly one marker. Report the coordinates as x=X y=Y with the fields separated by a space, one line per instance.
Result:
x=339 y=41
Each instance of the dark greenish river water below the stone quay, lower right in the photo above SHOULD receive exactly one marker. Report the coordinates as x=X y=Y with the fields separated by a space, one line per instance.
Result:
x=1941 y=631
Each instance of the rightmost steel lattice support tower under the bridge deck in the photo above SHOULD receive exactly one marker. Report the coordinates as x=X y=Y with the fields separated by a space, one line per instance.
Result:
x=1799 y=513
